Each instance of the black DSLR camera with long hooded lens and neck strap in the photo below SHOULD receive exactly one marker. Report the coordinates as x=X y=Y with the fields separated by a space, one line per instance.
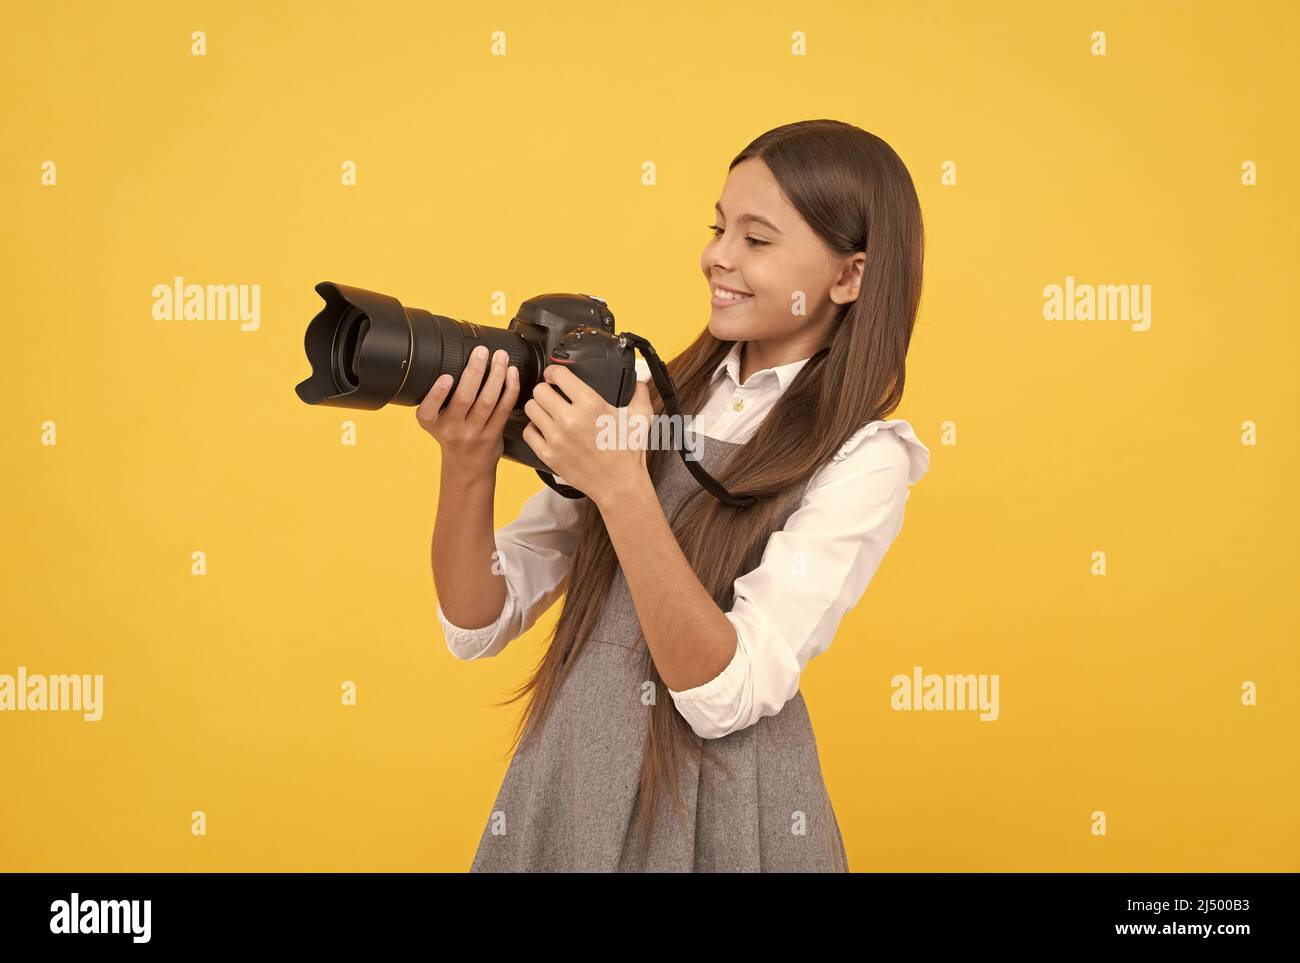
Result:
x=367 y=350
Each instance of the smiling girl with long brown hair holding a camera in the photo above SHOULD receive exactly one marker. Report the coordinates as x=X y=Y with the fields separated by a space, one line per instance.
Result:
x=814 y=272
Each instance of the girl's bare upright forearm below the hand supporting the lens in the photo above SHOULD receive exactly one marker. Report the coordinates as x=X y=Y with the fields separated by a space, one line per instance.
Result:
x=465 y=574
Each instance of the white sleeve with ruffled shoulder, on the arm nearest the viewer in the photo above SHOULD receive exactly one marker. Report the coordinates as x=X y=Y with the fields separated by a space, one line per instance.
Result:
x=813 y=571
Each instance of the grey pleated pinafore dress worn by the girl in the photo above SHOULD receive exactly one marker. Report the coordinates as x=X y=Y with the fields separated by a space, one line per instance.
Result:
x=567 y=802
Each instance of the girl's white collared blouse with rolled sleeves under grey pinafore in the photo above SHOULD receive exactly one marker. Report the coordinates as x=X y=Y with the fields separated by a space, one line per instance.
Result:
x=786 y=610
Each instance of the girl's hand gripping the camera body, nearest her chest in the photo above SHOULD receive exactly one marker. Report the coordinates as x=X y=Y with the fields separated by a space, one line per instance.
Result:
x=582 y=439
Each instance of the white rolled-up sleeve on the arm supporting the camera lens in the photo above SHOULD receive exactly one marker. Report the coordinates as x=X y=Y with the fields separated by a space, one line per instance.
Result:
x=535 y=554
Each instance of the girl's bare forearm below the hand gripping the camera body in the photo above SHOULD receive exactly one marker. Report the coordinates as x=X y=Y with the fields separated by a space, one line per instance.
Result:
x=691 y=640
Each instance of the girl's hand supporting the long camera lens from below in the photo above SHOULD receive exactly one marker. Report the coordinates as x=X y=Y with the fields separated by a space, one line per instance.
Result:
x=471 y=430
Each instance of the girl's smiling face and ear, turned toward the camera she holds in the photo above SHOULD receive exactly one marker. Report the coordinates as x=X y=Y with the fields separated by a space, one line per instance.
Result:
x=773 y=257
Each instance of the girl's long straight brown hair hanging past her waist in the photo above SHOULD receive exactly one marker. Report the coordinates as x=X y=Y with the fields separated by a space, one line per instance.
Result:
x=856 y=194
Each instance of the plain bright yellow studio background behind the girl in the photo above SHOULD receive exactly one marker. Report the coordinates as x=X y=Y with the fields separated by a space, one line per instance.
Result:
x=479 y=173
